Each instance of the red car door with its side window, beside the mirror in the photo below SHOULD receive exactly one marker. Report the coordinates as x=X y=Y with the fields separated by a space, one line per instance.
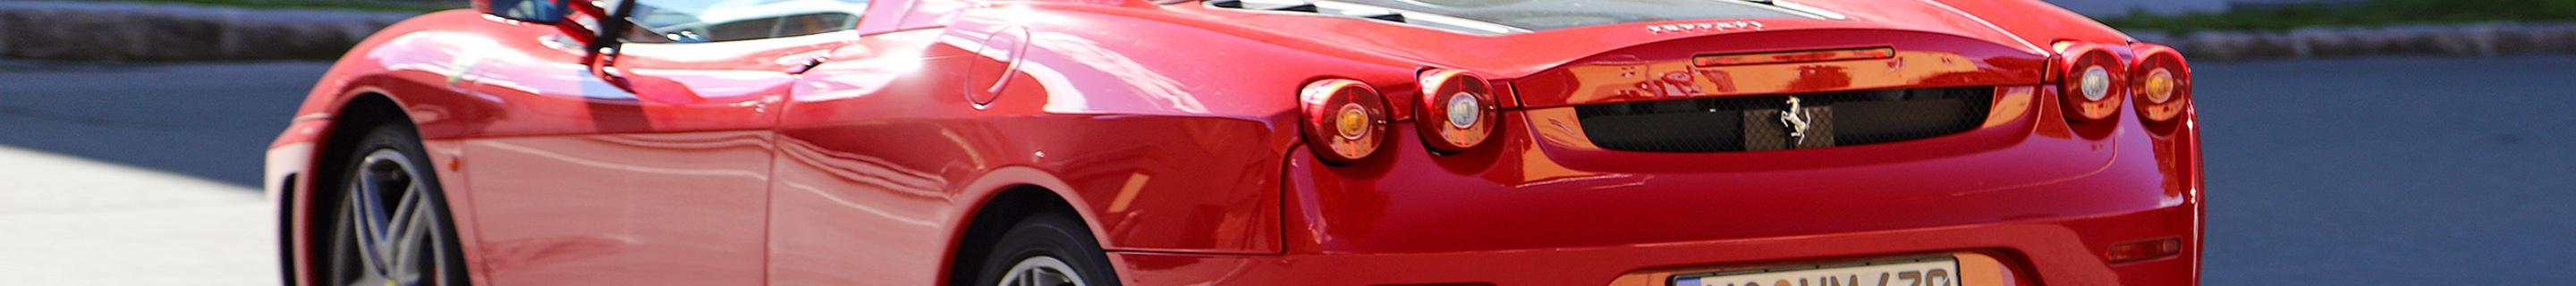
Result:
x=645 y=161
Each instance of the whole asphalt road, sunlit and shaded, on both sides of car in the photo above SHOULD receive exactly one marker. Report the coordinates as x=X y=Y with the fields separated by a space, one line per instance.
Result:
x=2322 y=171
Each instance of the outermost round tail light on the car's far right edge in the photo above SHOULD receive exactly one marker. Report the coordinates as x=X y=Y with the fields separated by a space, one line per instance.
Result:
x=2163 y=84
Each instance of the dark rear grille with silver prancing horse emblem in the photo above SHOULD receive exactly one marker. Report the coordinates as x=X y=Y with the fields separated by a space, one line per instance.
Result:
x=1753 y=122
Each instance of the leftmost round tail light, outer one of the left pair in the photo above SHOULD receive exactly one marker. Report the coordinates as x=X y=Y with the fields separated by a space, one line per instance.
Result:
x=1346 y=120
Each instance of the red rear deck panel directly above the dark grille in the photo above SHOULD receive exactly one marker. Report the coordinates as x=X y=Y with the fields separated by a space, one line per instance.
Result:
x=1807 y=61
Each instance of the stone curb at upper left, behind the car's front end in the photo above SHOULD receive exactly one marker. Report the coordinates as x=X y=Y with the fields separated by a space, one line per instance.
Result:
x=151 y=32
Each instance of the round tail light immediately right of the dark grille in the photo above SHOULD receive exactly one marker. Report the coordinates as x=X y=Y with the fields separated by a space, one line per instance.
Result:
x=2093 y=81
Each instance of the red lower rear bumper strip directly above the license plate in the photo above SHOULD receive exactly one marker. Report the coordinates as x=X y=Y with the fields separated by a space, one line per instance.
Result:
x=2023 y=254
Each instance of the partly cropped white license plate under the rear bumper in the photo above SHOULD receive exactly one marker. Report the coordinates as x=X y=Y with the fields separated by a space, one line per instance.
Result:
x=1926 y=272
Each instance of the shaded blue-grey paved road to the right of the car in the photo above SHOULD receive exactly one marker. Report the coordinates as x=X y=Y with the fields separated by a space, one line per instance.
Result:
x=2392 y=171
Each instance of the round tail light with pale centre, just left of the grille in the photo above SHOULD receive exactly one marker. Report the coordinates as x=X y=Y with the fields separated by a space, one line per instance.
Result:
x=1457 y=110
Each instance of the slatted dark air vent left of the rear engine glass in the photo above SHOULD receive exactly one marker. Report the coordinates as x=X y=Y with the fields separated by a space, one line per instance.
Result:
x=1372 y=14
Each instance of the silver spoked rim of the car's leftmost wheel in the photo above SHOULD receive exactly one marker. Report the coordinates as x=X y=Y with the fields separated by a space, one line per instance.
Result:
x=388 y=225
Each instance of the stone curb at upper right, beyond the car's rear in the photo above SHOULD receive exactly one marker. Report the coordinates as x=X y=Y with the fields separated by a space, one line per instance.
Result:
x=2464 y=40
